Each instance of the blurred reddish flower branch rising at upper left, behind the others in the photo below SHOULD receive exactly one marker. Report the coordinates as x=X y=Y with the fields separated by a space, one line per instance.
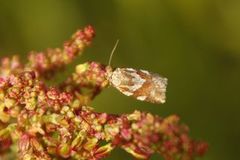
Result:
x=48 y=62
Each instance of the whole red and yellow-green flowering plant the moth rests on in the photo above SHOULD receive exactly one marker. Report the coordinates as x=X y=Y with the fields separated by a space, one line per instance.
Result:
x=38 y=122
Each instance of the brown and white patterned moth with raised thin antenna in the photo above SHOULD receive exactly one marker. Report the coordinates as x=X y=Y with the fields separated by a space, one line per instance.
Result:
x=140 y=84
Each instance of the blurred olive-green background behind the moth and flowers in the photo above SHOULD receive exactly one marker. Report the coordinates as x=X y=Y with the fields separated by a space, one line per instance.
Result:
x=195 y=43
